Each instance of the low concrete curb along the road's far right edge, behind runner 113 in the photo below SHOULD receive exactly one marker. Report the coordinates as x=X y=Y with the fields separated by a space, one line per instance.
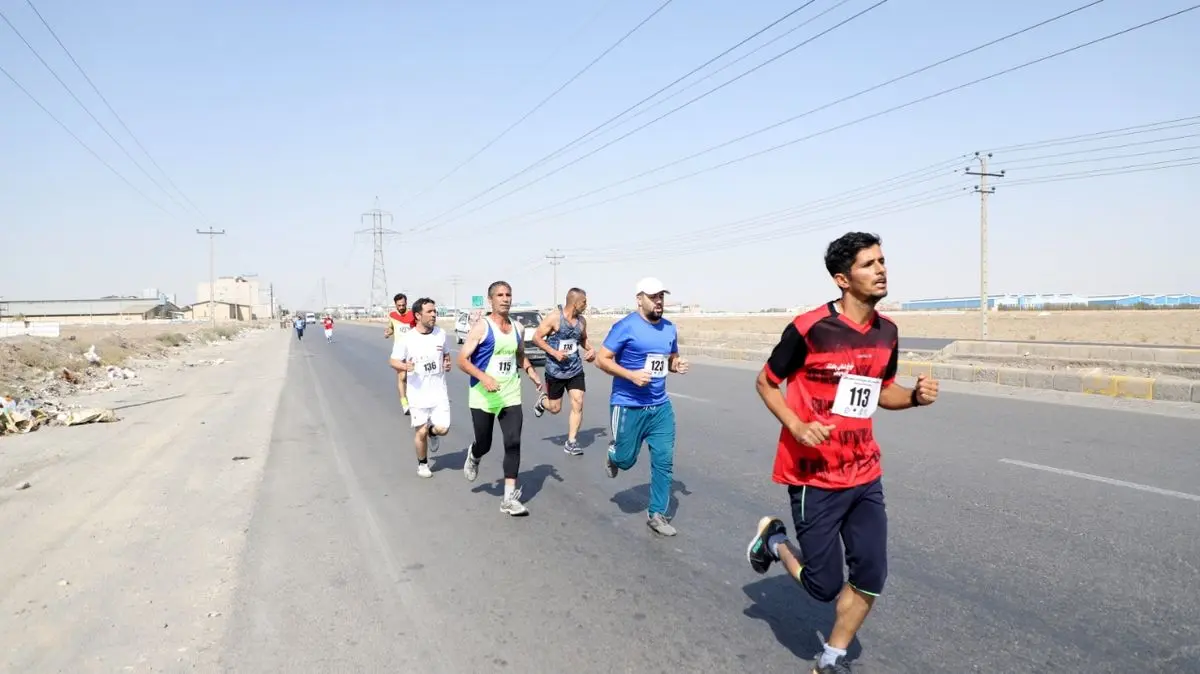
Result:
x=1111 y=386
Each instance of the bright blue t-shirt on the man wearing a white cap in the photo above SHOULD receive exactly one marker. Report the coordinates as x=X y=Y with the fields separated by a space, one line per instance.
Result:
x=641 y=345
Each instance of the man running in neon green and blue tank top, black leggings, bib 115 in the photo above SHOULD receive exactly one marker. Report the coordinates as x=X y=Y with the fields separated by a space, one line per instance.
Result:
x=490 y=357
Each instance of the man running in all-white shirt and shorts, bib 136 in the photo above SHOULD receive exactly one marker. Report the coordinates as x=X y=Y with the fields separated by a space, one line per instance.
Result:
x=423 y=354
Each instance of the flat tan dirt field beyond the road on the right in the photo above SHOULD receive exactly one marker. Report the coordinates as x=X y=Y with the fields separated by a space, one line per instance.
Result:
x=1166 y=328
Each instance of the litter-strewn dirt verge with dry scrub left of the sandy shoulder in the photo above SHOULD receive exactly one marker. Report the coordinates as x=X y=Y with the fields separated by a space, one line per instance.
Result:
x=32 y=365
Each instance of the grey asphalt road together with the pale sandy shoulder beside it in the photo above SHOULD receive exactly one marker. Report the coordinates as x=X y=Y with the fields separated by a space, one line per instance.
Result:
x=1027 y=537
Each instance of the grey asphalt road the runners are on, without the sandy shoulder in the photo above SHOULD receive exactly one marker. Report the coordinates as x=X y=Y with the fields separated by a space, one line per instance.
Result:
x=353 y=563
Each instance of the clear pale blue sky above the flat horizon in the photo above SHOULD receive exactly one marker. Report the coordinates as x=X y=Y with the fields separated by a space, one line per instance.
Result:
x=284 y=123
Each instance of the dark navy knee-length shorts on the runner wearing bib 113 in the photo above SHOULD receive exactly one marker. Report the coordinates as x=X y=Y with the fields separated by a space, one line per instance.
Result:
x=859 y=517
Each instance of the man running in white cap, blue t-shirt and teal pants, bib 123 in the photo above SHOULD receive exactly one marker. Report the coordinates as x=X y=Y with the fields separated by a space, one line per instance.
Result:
x=639 y=352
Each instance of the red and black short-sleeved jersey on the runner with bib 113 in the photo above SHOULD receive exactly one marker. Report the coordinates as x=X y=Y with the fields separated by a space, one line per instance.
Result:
x=815 y=351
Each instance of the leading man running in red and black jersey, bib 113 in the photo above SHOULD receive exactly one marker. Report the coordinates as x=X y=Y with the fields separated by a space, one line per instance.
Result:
x=841 y=365
